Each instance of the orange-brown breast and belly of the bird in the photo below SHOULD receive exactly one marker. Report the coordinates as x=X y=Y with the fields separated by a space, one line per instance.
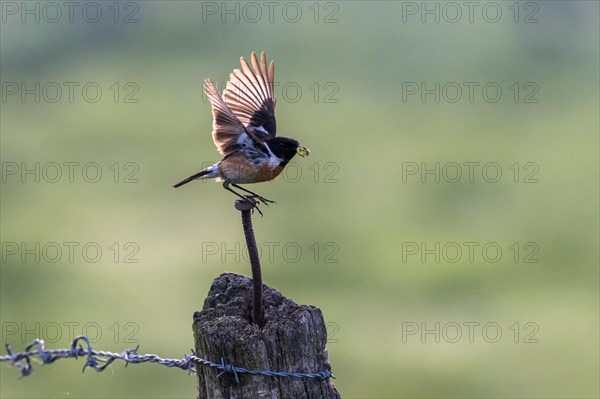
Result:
x=239 y=169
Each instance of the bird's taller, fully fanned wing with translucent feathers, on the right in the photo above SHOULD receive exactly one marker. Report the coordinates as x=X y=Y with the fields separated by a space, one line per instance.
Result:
x=250 y=95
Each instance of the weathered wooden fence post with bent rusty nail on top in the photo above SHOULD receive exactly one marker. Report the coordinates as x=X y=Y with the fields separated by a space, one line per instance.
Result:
x=287 y=337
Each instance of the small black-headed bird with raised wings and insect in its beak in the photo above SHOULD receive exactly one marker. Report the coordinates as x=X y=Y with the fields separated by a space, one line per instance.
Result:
x=244 y=130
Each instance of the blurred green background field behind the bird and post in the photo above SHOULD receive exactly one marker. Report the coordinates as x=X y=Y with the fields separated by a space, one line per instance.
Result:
x=353 y=232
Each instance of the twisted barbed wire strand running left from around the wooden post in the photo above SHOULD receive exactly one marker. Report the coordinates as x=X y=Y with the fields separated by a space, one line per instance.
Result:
x=100 y=360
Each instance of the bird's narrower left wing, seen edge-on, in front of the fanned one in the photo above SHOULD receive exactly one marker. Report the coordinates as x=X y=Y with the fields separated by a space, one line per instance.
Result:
x=229 y=134
